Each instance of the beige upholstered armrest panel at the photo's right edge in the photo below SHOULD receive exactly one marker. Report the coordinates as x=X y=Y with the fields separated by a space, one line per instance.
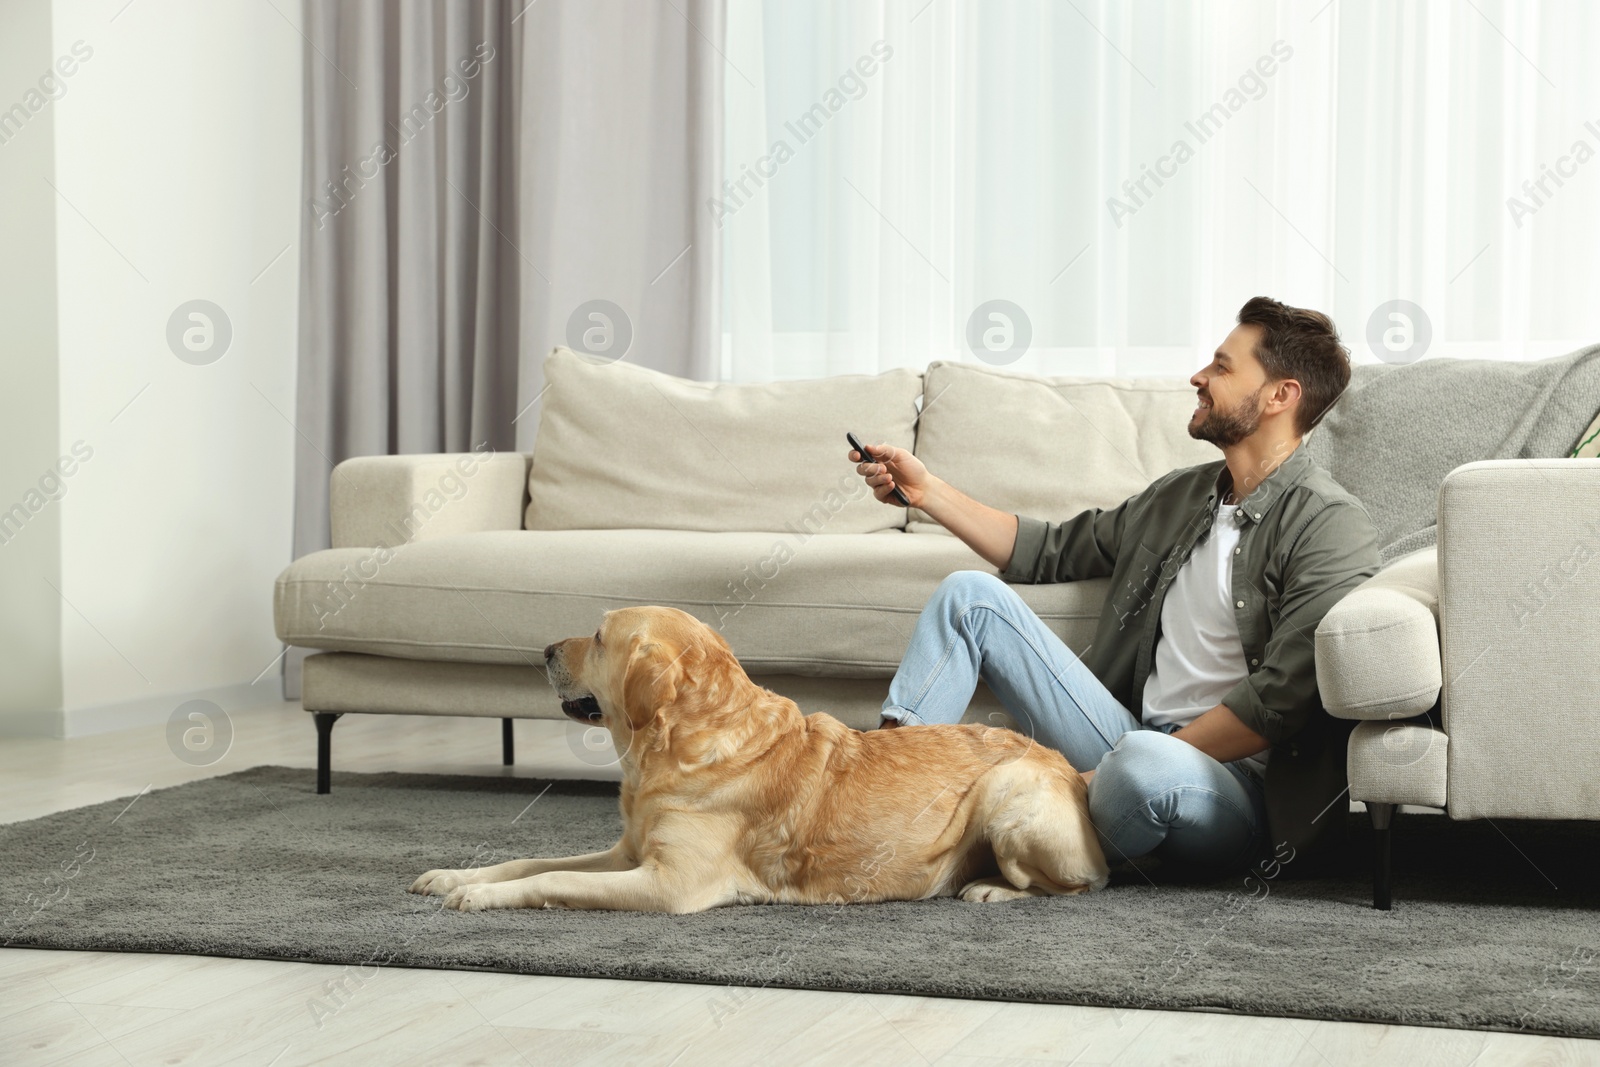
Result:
x=1519 y=583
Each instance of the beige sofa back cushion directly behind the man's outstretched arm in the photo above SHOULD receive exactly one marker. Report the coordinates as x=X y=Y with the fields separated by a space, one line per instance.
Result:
x=1050 y=447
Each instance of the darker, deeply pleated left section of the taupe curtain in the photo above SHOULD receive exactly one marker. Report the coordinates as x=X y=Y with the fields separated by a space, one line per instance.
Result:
x=409 y=290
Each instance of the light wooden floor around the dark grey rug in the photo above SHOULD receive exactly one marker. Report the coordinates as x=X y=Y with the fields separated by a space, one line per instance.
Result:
x=113 y=1009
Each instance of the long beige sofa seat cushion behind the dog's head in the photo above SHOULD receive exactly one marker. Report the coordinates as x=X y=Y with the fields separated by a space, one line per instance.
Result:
x=833 y=605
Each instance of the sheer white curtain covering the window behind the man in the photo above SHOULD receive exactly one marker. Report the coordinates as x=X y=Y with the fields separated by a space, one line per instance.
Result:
x=1129 y=175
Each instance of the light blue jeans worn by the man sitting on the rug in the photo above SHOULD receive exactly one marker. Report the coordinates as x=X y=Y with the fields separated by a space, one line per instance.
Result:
x=1151 y=793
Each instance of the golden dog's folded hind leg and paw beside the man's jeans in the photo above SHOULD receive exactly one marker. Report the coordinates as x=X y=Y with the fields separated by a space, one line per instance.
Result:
x=1038 y=825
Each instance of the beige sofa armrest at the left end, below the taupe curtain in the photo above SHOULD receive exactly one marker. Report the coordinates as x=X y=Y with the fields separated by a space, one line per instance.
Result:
x=398 y=500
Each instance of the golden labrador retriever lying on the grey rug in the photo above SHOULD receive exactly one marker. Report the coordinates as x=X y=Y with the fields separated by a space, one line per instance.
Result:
x=730 y=796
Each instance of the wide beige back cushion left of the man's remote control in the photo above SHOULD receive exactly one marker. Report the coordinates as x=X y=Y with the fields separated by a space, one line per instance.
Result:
x=626 y=447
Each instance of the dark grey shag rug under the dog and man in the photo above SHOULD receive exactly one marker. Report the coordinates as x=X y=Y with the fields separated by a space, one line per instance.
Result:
x=1495 y=925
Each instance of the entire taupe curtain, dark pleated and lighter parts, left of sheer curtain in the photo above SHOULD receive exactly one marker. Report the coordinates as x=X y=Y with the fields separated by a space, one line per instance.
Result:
x=476 y=172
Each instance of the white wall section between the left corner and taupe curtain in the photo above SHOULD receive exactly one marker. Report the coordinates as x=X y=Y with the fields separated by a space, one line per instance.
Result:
x=178 y=145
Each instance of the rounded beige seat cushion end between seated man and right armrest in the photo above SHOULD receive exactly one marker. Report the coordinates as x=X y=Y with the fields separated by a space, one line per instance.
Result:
x=1378 y=649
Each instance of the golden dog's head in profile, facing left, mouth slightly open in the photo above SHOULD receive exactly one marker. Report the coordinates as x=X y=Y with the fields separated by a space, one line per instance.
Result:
x=647 y=671
